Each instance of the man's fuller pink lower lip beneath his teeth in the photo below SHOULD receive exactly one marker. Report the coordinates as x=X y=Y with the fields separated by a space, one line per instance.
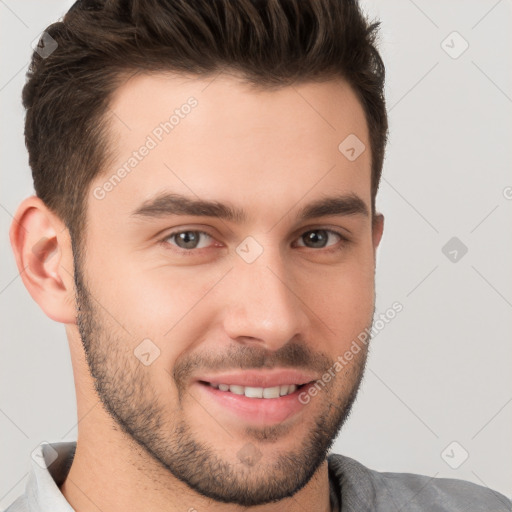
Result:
x=256 y=410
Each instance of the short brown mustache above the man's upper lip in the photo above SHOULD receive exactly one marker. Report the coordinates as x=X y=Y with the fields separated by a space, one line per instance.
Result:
x=296 y=355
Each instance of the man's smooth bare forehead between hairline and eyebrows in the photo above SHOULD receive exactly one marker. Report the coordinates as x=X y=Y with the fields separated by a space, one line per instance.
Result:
x=217 y=138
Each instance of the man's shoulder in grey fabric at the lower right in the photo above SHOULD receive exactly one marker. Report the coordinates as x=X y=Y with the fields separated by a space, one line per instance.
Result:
x=363 y=488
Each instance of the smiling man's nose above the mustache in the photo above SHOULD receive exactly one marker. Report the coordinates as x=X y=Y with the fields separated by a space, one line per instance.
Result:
x=264 y=308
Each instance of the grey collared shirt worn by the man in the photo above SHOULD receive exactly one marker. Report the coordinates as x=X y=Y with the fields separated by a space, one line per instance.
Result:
x=353 y=486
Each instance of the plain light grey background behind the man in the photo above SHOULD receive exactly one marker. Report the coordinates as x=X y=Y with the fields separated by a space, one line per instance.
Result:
x=440 y=371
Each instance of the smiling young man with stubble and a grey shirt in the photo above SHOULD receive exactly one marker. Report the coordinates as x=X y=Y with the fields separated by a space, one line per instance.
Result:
x=205 y=228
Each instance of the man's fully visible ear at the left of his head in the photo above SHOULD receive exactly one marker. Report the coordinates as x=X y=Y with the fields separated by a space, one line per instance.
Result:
x=42 y=248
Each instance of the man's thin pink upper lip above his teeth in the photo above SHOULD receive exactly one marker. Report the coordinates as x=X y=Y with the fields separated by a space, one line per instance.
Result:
x=260 y=378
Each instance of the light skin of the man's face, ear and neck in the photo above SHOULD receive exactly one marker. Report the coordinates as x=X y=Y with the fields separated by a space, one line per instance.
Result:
x=154 y=441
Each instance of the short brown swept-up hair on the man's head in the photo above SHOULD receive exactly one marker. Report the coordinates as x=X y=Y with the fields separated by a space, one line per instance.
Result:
x=271 y=43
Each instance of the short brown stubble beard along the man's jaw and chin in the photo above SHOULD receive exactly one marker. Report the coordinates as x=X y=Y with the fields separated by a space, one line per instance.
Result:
x=126 y=391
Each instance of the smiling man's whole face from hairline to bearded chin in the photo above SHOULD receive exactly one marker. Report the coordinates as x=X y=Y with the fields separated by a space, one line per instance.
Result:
x=176 y=300
